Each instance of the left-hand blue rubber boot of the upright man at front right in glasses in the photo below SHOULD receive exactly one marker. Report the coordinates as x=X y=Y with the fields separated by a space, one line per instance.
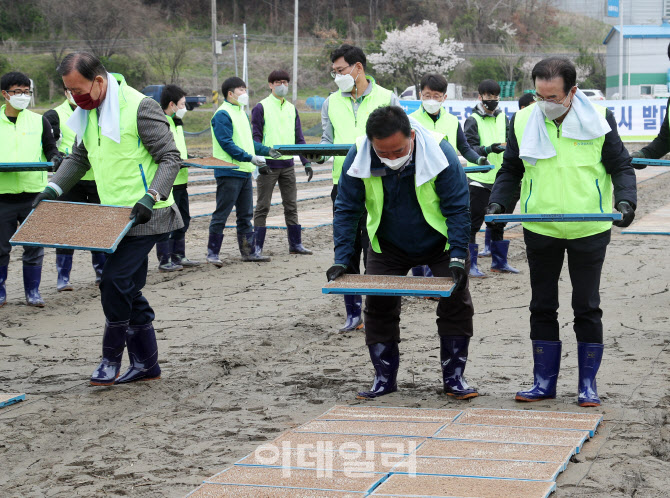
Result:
x=547 y=364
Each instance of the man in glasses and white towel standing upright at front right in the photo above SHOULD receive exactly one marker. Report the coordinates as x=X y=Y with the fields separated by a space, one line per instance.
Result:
x=569 y=158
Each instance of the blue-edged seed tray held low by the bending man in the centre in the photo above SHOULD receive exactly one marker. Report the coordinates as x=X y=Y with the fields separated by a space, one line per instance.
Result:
x=384 y=285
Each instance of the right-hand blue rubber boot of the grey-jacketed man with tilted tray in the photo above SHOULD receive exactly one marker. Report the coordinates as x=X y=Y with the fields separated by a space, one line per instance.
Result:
x=142 y=353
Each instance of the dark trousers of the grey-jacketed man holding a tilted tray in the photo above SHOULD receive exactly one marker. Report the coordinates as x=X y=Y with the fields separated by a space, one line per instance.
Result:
x=123 y=277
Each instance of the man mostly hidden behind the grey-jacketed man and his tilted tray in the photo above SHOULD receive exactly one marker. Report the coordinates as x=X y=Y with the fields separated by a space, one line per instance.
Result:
x=84 y=191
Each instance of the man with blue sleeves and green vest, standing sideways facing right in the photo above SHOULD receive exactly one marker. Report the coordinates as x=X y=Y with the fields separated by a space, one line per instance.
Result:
x=233 y=142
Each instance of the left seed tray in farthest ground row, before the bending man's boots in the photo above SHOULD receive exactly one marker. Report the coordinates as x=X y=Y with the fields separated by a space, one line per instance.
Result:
x=391 y=414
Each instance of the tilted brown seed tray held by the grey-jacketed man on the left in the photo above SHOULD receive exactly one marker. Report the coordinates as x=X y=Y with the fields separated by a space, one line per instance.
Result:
x=74 y=225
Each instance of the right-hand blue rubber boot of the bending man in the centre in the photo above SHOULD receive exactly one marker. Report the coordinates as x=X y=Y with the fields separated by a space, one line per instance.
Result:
x=453 y=357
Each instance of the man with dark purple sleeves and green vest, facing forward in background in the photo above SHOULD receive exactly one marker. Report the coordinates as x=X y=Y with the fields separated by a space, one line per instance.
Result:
x=275 y=121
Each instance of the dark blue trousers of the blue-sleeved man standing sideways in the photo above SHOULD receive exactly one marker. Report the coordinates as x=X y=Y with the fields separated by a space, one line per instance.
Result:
x=233 y=191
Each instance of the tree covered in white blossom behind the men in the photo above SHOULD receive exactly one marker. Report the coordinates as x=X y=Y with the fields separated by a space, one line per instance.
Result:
x=415 y=51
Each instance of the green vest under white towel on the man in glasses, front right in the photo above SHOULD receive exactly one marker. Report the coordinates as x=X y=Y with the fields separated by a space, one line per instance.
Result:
x=573 y=181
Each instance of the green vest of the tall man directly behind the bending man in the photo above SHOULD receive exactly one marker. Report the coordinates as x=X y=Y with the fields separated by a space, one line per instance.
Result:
x=346 y=126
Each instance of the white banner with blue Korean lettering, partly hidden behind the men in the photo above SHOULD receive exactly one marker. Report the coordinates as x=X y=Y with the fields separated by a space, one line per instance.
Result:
x=641 y=119
